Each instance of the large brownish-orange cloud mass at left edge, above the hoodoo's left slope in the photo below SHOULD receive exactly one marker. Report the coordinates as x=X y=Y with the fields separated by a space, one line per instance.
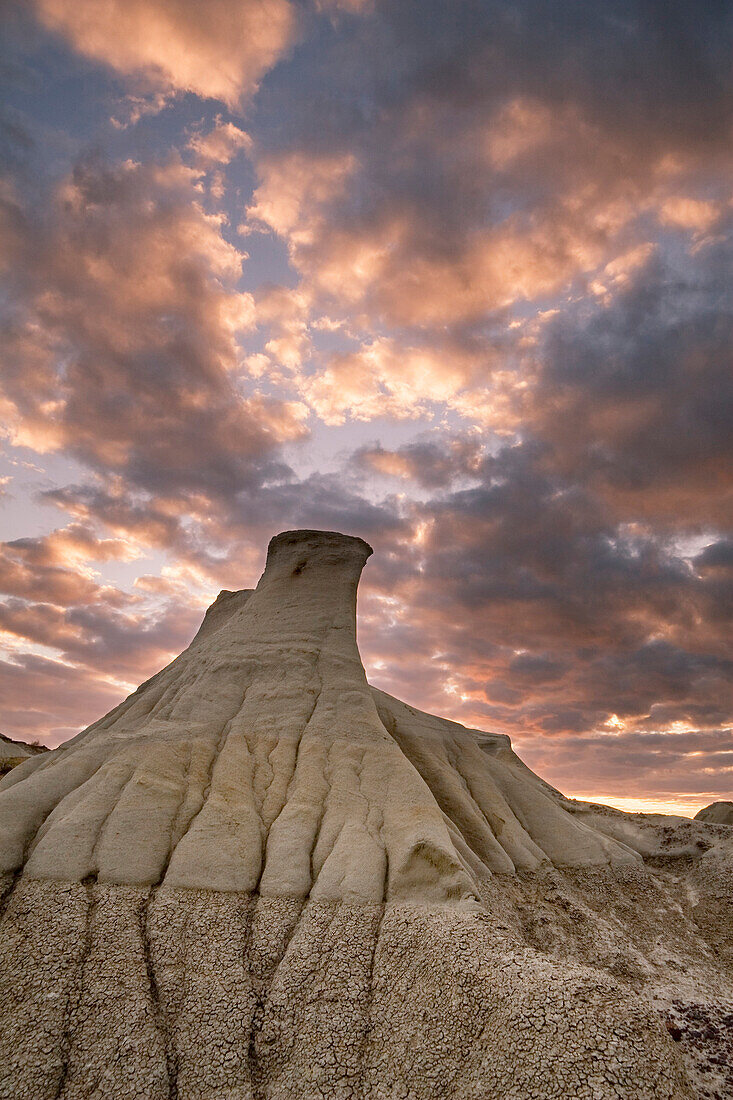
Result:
x=123 y=335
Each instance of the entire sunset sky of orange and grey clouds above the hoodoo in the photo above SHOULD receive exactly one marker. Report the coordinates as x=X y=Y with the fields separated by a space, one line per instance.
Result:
x=454 y=278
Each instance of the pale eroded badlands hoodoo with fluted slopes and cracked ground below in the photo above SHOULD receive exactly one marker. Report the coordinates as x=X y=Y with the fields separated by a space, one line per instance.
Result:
x=260 y=878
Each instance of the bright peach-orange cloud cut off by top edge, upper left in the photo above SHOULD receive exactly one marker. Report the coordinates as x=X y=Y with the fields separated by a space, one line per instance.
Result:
x=220 y=50
